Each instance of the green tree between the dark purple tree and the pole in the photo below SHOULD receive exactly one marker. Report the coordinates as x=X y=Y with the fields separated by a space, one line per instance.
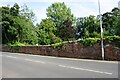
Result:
x=87 y=27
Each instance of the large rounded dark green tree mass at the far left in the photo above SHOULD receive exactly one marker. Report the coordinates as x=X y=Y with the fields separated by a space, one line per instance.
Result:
x=16 y=28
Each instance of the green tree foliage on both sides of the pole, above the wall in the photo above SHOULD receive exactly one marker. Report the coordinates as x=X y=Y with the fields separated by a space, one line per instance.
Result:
x=90 y=27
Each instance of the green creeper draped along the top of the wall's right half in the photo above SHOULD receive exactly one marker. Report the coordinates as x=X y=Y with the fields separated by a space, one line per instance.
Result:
x=115 y=40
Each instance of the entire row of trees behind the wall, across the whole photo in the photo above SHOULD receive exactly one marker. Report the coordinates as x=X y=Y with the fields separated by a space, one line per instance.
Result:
x=60 y=25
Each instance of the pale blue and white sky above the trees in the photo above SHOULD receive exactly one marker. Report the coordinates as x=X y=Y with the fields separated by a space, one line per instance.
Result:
x=80 y=8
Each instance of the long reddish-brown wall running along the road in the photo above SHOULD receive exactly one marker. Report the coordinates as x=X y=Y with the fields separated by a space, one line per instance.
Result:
x=73 y=50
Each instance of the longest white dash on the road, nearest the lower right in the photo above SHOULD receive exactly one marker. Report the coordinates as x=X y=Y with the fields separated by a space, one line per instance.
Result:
x=85 y=69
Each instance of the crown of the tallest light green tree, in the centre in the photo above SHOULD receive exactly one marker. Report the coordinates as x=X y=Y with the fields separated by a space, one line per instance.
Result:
x=59 y=12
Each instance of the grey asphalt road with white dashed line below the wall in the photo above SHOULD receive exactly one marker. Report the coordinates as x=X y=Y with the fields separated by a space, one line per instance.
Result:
x=16 y=65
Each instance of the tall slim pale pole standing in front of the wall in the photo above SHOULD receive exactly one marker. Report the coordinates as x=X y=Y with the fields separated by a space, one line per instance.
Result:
x=102 y=47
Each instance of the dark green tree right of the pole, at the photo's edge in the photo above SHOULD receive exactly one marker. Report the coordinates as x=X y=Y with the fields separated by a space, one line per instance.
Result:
x=111 y=22
